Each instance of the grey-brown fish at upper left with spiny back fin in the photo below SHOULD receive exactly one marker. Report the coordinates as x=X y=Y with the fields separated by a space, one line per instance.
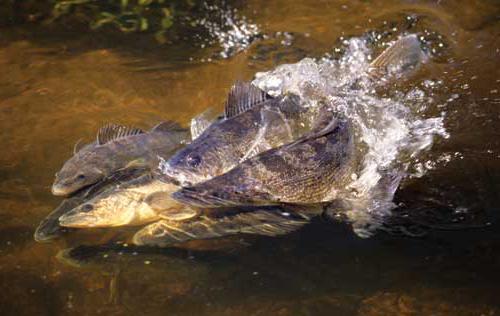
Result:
x=117 y=147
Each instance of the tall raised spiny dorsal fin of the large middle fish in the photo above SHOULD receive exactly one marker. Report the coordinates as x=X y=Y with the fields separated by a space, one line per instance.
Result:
x=242 y=97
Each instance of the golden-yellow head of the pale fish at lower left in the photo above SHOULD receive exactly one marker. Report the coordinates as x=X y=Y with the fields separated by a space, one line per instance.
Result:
x=108 y=211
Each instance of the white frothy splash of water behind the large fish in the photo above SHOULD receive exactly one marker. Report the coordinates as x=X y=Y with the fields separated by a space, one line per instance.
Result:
x=389 y=131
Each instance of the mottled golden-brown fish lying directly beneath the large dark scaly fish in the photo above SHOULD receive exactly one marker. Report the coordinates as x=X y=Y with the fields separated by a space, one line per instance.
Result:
x=270 y=221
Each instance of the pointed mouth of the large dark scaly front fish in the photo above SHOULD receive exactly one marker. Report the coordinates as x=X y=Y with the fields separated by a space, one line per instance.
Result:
x=192 y=197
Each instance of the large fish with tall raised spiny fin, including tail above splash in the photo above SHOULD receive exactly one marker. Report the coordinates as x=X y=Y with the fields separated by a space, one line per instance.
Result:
x=255 y=122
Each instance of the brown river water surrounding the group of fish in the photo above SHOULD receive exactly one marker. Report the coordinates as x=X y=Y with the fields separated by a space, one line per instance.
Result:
x=59 y=84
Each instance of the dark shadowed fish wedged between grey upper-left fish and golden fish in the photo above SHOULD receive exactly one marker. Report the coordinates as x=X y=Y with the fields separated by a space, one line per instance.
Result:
x=50 y=229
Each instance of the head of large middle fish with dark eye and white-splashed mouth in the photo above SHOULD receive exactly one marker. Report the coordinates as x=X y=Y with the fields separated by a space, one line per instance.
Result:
x=194 y=164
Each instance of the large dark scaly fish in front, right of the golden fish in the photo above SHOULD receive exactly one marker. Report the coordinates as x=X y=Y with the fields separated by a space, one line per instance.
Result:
x=313 y=169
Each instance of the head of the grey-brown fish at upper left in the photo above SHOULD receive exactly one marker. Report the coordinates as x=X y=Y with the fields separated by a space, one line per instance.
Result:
x=78 y=172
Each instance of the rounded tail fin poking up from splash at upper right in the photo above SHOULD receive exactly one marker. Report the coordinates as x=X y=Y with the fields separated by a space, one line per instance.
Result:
x=405 y=53
